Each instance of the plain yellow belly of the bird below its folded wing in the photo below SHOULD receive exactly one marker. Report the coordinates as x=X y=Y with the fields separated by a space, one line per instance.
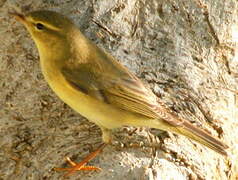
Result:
x=102 y=114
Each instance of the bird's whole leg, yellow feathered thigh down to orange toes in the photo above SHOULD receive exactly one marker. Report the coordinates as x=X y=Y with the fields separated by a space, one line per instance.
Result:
x=106 y=136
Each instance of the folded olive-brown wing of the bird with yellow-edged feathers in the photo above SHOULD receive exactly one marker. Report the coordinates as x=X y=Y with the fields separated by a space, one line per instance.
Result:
x=114 y=85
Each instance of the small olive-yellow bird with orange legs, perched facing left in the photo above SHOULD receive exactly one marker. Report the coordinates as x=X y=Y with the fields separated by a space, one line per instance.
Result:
x=97 y=86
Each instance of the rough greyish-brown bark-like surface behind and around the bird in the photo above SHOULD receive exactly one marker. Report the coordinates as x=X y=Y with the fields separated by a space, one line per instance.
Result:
x=185 y=50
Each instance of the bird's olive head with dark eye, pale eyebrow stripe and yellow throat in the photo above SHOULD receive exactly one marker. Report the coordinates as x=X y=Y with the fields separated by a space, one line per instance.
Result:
x=50 y=30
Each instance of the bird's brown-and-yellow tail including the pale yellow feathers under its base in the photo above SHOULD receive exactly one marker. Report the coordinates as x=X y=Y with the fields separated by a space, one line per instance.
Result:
x=175 y=125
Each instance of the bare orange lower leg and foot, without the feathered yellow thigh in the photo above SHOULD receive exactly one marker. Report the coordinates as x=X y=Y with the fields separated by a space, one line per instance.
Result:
x=81 y=166
